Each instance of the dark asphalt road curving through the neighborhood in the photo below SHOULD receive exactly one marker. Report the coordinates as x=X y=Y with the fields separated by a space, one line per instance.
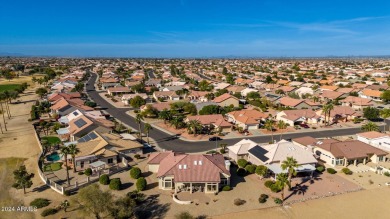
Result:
x=171 y=142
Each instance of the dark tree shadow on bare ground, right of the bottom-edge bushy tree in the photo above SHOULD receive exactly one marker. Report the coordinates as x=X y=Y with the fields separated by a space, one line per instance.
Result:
x=151 y=208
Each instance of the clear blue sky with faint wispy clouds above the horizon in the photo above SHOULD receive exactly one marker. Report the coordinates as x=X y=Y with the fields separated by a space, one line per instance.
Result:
x=189 y=28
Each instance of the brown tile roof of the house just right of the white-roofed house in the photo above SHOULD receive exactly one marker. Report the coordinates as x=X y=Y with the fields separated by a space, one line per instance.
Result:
x=351 y=149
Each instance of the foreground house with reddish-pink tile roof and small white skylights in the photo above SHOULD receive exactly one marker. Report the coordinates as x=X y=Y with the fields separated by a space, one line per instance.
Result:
x=189 y=172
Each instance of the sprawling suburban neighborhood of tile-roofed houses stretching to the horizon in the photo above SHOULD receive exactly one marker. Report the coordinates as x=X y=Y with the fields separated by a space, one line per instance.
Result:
x=204 y=137
